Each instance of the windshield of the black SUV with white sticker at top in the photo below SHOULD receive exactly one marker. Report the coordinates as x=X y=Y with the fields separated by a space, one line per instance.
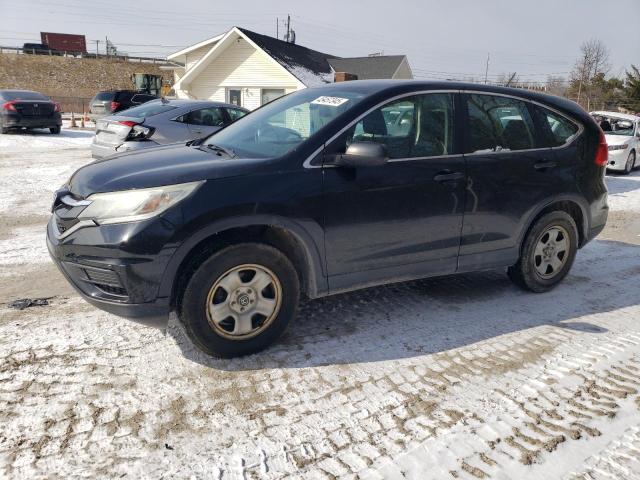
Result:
x=280 y=126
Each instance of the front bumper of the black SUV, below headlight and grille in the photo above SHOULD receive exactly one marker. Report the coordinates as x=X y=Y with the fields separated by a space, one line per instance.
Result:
x=110 y=276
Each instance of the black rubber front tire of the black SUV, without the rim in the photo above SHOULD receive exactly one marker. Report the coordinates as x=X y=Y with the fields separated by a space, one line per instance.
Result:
x=193 y=306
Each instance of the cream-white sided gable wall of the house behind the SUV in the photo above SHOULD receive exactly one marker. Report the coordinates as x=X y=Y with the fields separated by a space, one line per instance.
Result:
x=240 y=66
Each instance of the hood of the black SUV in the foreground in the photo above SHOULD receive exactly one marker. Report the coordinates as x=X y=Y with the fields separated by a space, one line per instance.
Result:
x=154 y=167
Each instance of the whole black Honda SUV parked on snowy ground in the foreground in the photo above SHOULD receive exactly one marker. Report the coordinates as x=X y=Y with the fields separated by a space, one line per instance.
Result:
x=332 y=189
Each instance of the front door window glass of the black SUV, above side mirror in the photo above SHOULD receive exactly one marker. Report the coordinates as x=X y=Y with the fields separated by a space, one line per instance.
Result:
x=413 y=127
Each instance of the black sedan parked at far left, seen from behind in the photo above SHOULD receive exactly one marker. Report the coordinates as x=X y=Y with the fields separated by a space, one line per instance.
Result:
x=27 y=109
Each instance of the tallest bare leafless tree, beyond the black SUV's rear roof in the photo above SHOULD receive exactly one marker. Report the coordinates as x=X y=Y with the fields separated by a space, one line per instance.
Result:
x=593 y=62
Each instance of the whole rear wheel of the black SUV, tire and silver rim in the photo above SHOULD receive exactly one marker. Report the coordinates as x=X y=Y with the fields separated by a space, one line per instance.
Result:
x=547 y=253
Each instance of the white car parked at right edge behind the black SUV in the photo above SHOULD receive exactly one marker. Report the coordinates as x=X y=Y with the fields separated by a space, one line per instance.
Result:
x=622 y=132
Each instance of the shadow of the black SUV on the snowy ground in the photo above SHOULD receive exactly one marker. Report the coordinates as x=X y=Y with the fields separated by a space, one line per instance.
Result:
x=439 y=314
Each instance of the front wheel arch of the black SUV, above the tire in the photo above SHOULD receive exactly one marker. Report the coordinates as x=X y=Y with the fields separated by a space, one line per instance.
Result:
x=293 y=240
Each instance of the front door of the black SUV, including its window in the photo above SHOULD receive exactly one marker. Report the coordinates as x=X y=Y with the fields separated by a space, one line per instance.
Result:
x=396 y=219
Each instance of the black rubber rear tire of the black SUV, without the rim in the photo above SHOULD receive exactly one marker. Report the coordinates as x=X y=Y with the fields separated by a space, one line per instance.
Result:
x=524 y=273
